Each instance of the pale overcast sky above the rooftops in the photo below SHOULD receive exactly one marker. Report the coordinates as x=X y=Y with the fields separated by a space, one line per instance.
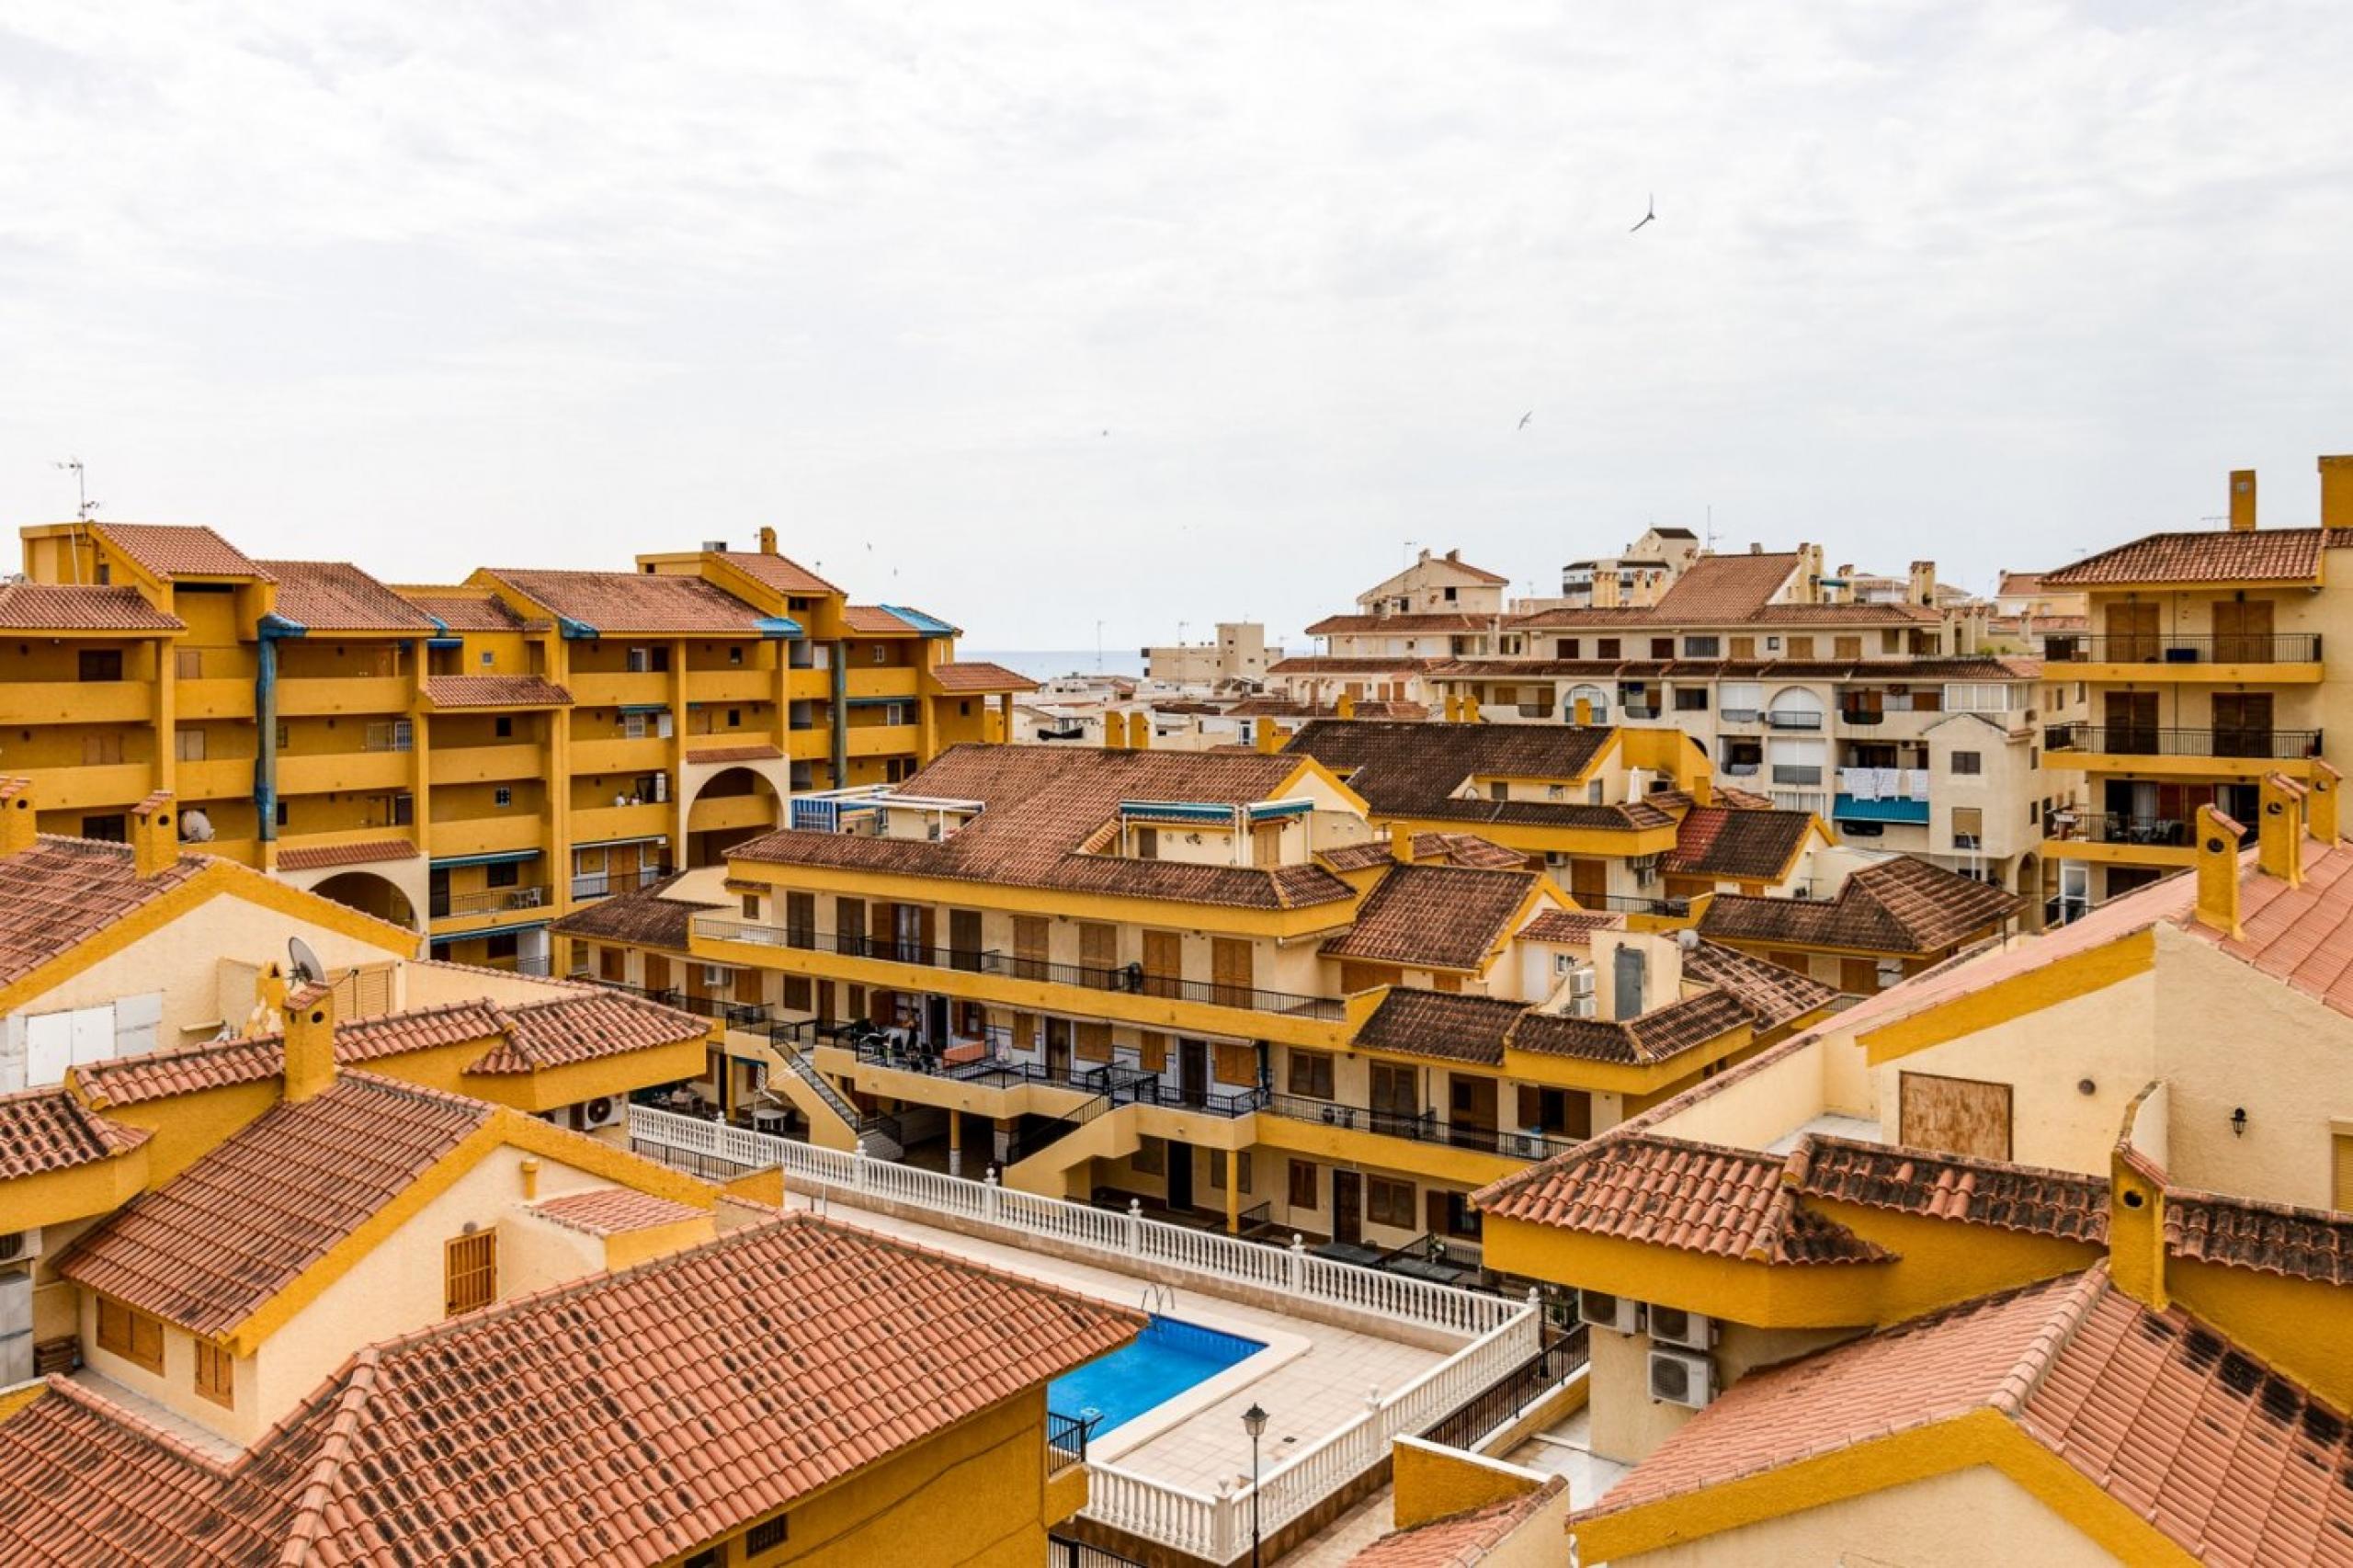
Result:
x=1044 y=317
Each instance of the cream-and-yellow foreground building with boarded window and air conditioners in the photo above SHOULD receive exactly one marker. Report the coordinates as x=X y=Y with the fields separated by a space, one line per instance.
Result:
x=2044 y=1249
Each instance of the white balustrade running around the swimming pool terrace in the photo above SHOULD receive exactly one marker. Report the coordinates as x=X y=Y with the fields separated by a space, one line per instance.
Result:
x=1502 y=1334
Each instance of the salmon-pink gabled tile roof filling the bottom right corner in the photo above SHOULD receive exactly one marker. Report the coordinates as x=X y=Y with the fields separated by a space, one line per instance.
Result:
x=2225 y=1456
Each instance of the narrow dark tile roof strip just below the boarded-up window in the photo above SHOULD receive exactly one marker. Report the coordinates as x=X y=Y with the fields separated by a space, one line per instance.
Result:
x=1954 y=1188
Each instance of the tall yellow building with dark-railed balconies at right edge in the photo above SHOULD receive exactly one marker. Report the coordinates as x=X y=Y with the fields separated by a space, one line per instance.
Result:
x=2208 y=660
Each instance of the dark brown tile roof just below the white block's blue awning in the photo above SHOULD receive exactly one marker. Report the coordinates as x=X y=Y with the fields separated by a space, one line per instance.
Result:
x=1900 y=905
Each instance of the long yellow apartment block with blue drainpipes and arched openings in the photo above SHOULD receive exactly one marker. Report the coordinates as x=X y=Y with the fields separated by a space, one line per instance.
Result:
x=469 y=759
